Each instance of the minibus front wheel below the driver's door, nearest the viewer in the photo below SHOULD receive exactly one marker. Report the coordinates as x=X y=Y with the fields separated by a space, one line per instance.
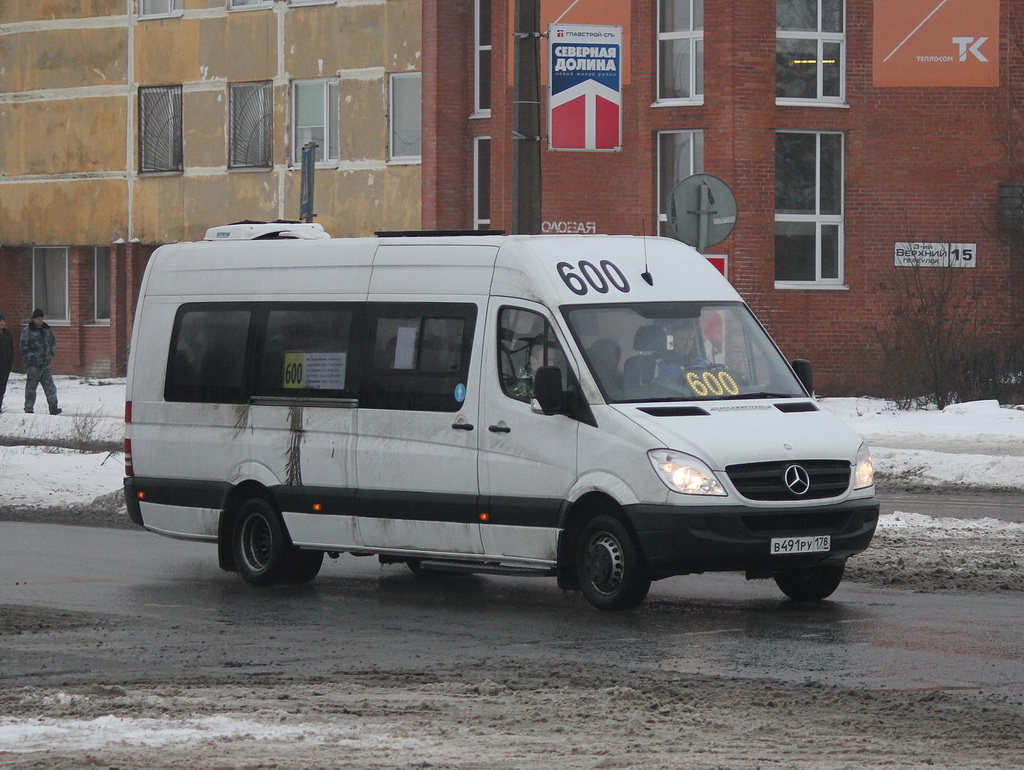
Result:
x=612 y=573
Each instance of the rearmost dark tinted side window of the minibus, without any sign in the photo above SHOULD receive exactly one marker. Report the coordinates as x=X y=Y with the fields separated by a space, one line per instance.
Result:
x=207 y=359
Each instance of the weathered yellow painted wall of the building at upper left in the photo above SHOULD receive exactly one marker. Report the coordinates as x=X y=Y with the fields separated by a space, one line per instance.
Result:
x=69 y=113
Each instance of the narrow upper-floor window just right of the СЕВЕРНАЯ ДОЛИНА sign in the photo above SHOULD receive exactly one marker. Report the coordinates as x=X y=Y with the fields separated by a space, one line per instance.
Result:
x=680 y=51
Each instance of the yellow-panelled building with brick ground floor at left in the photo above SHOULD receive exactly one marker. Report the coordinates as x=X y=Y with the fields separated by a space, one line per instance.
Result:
x=125 y=124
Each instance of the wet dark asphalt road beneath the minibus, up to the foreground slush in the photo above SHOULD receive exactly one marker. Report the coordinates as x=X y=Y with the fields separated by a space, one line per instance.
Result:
x=156 y=610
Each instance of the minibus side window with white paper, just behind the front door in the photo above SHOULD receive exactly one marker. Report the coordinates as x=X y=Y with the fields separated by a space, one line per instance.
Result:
x=420 y=357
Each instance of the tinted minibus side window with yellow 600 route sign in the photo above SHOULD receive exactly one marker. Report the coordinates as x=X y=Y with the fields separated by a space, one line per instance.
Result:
x=306 y=353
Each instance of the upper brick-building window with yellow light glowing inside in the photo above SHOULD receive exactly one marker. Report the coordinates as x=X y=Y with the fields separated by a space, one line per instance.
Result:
x=810 y=51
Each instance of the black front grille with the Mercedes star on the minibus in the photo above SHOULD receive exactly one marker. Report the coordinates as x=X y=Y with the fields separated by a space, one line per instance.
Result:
x=828 y=479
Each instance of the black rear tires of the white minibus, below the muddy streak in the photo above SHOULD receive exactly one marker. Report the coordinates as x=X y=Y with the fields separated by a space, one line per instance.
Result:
x=264 y=553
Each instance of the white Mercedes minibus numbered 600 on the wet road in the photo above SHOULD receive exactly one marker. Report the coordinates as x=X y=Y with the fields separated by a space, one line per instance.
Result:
x=604 y=410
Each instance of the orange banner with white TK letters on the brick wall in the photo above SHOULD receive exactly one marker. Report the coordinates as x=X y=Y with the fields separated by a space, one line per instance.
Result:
x=936 y=44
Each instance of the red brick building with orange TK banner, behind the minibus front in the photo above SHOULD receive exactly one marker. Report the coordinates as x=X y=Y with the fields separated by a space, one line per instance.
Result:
x=844 y=129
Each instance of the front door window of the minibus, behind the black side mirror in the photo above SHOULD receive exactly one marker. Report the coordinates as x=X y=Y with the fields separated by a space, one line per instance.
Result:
x=526 y=344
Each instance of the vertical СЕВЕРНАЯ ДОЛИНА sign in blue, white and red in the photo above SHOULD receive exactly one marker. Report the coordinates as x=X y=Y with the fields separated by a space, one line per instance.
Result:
x=585 y=88
